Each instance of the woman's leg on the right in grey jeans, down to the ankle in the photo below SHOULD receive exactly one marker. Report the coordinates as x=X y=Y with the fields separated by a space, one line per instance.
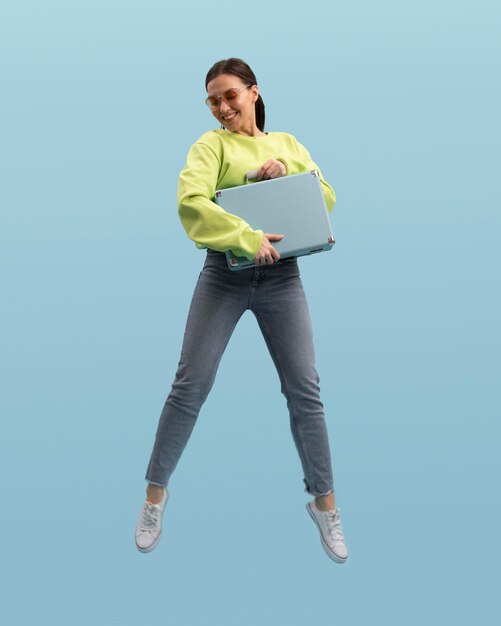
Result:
x=282 y=312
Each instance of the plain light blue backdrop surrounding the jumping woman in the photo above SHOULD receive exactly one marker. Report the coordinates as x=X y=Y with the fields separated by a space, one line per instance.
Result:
x=398 y=102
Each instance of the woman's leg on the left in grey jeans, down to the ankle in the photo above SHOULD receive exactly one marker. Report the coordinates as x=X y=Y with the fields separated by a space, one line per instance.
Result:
x=217 y=304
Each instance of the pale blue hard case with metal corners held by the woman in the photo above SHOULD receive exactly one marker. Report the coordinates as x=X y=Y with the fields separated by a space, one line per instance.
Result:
x=291 y=205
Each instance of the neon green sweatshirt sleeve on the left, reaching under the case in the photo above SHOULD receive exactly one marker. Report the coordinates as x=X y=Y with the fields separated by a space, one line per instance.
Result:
x=206 y=223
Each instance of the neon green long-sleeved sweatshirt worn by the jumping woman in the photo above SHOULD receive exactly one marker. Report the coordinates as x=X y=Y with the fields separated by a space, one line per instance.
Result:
x=221 y=159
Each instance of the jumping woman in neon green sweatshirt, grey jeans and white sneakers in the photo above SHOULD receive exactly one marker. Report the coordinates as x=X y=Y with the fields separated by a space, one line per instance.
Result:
x=272 y=290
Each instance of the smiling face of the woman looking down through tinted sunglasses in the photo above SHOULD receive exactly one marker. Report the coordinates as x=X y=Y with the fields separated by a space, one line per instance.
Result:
x=239 y=114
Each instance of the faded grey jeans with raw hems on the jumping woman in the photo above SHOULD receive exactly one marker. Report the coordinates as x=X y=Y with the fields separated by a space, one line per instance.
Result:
x=275 y=295
